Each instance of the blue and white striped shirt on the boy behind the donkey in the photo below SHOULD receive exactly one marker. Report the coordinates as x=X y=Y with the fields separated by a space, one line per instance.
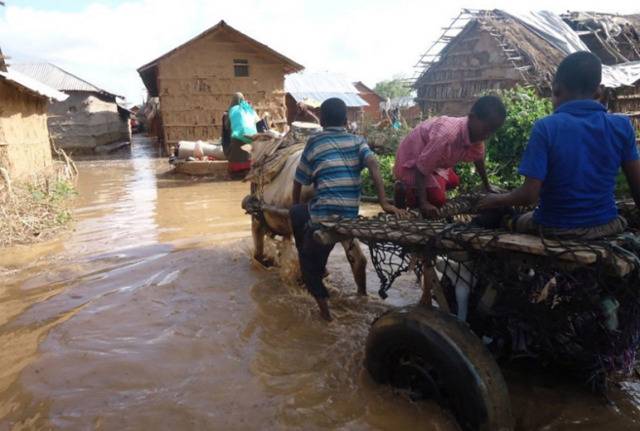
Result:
x=332 y=161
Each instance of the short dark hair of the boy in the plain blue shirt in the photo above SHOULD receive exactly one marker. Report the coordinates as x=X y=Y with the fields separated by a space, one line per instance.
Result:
x=579 y=73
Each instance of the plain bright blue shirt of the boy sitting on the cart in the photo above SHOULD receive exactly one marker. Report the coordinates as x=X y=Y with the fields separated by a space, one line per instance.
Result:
x=576 y=152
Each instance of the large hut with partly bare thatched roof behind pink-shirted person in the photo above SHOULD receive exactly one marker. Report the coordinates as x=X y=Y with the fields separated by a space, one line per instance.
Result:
x=486 y=50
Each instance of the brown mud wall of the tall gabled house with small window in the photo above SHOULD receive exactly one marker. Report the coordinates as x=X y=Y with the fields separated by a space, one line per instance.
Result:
x=196 y=84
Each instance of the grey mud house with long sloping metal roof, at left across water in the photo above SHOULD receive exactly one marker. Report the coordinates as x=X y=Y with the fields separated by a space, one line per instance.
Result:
x=89 y=120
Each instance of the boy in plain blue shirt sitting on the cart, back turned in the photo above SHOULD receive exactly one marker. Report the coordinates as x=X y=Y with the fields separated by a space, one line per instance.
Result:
x=572 y=160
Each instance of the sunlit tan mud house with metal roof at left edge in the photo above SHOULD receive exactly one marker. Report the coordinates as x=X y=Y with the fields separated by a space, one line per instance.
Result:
x=25 y=149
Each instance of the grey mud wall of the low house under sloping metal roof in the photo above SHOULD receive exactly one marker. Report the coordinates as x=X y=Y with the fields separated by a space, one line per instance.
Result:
x=86 y=121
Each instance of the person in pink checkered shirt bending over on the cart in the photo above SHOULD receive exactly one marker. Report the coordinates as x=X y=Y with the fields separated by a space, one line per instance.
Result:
x=426 y=157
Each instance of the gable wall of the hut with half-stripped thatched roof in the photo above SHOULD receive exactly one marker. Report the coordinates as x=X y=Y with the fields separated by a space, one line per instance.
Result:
x=471 y=65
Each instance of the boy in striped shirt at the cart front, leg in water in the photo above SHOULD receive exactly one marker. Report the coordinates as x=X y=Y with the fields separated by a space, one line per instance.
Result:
x=331 y=161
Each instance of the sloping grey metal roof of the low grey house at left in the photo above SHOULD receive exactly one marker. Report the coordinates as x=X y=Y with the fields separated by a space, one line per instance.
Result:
x=58 y=78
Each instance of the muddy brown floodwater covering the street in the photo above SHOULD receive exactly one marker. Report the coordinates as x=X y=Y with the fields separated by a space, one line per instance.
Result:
x=149 y=315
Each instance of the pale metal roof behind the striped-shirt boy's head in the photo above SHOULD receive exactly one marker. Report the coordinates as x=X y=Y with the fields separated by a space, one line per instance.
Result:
x=320 y=86
